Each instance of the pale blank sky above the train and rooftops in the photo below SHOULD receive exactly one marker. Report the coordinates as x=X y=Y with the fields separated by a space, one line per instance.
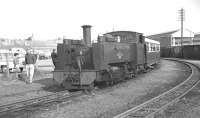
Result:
x=50 y=19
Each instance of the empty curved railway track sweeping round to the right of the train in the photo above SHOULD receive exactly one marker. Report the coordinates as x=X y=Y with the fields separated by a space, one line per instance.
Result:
x=159 y=103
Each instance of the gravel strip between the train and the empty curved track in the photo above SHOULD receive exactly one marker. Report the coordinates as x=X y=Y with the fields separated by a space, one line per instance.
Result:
x=113 y=100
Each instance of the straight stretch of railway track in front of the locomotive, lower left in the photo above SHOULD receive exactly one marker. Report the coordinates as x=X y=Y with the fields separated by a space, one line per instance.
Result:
x=23 y=105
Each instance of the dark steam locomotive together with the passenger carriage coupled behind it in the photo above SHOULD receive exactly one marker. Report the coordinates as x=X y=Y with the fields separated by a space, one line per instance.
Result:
x=114 y=57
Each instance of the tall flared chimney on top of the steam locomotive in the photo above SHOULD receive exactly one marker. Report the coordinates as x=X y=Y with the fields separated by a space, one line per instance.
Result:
x=87 y=34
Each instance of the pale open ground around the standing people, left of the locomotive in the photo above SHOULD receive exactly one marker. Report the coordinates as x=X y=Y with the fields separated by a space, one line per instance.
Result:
x=12 y=89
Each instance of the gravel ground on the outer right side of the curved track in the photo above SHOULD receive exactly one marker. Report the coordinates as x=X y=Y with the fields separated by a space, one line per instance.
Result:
x=186 y=107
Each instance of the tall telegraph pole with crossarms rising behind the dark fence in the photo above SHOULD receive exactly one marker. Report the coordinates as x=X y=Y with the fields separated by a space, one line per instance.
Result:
x=182 y=18
